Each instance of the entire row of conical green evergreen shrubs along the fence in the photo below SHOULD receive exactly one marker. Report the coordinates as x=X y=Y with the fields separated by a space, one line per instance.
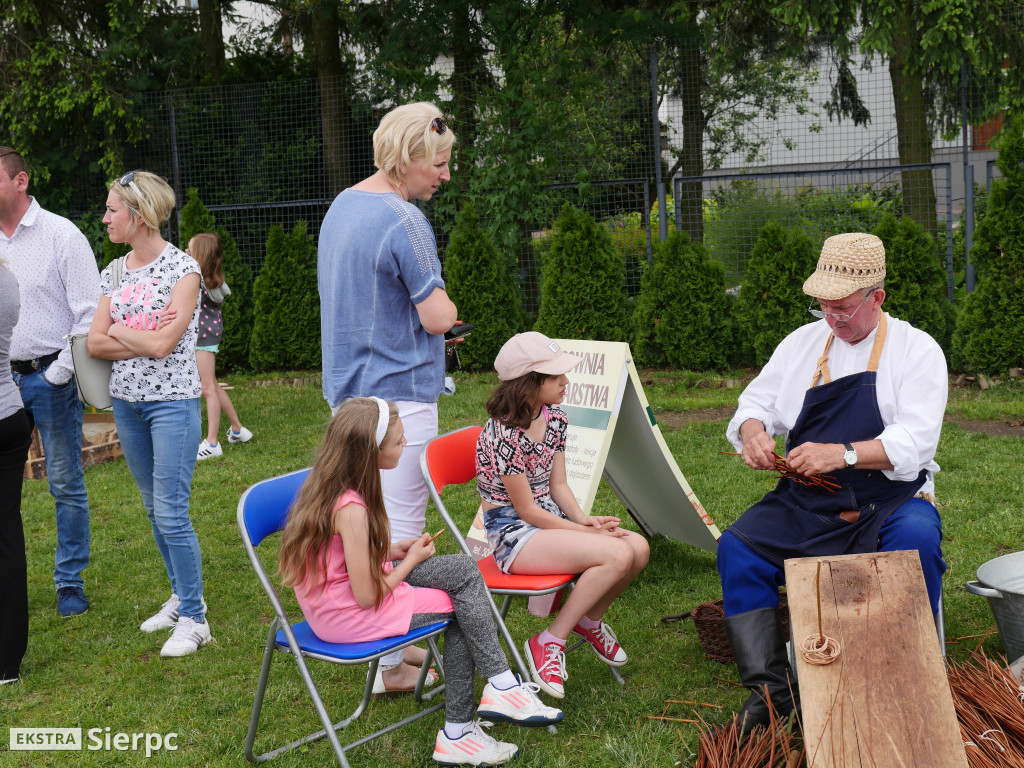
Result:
x=685 y=318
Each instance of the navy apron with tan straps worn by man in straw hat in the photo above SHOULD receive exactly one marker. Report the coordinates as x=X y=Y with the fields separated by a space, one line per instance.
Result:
x=796 y=521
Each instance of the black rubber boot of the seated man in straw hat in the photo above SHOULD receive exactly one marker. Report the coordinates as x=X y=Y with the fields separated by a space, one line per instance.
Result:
x=760 y=651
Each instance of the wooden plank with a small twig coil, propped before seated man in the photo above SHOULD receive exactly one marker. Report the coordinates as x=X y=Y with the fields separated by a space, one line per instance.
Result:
x=885 y=703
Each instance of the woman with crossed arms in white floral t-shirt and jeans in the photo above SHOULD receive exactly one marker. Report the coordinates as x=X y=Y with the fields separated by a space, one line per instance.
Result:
x=147 y=323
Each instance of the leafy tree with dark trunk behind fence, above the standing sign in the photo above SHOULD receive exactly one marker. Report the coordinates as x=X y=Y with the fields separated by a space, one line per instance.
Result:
x=728 y=63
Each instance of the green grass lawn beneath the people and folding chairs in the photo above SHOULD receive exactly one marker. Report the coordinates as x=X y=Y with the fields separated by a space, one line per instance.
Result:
x=99 y=671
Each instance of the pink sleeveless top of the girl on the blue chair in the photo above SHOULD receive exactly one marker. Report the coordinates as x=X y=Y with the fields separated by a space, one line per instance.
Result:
x=334 y=614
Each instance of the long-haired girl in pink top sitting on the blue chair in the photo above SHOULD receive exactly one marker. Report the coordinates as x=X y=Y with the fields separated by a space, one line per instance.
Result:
x=350 y=580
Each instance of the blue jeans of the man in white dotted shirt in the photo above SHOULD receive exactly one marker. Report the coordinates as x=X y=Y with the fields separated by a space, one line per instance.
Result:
x=58 y=414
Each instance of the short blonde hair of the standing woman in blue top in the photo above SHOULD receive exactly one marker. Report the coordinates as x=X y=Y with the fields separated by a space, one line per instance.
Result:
x=407 y=134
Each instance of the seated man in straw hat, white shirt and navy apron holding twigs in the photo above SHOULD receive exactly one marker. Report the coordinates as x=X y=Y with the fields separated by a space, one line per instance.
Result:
x=861 y=398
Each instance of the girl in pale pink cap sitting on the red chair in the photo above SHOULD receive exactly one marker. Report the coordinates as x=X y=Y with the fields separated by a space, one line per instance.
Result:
x=533 y=520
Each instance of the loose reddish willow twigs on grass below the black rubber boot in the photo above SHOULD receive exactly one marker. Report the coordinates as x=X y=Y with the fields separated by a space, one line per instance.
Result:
x=777 y=746
